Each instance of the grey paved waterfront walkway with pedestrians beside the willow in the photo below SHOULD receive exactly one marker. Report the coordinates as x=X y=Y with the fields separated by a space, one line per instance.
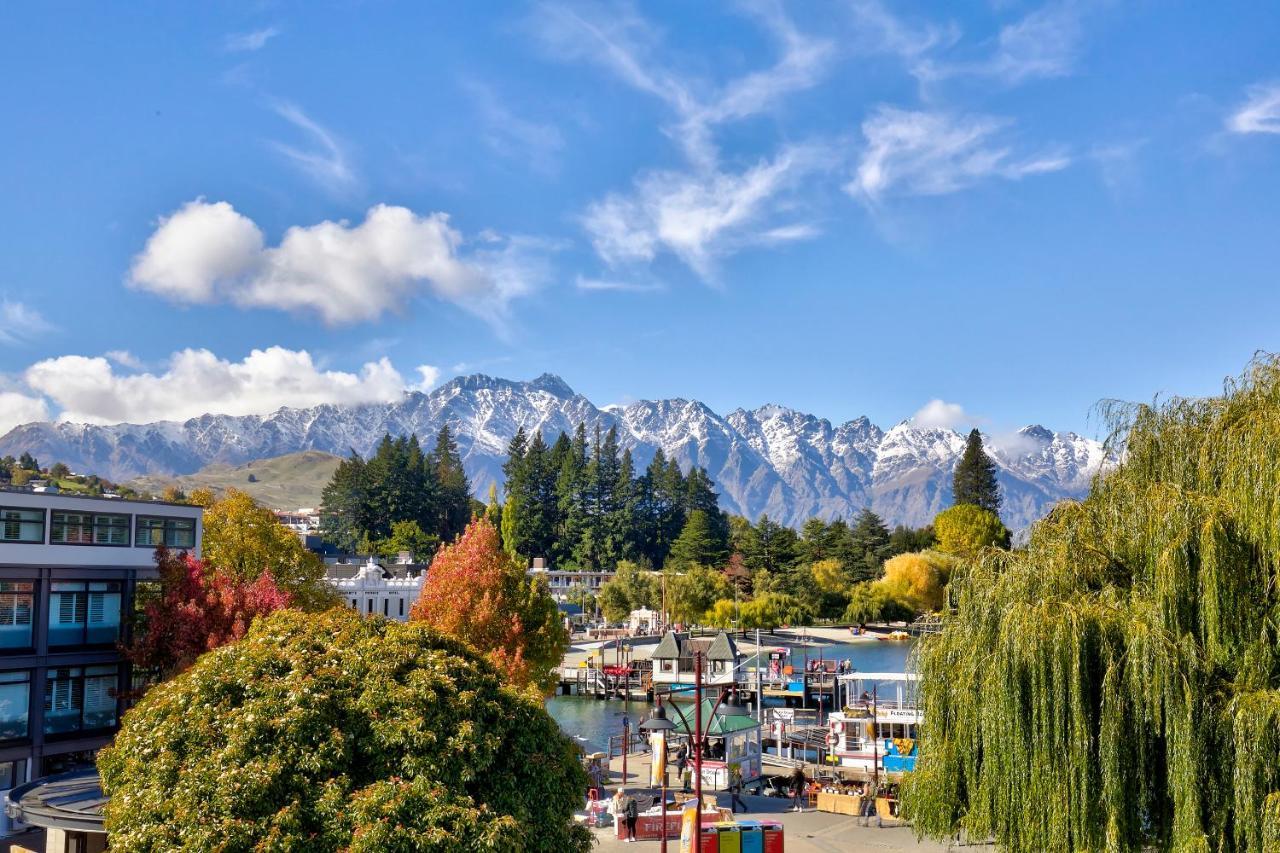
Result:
x=810 y=832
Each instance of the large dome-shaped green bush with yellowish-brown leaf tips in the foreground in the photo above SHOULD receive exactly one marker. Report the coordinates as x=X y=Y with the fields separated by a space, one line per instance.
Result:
x=330 y=732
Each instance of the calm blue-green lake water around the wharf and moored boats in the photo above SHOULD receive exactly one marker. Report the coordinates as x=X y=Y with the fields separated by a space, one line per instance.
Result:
x=592 y=722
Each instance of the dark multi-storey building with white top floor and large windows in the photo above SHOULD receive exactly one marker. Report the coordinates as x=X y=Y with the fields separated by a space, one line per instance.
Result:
x=70 y=567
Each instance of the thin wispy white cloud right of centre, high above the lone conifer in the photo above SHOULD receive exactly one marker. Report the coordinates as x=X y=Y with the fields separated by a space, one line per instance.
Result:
x=917 y=153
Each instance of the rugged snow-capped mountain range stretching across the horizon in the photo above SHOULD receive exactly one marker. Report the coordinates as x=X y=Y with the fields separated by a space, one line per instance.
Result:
x=770 y=460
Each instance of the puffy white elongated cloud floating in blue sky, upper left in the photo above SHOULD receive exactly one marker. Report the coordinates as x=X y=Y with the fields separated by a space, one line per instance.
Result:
x=209 y=253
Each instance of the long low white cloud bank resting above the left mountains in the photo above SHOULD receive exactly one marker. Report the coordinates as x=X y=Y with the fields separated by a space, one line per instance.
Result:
x=90 y=390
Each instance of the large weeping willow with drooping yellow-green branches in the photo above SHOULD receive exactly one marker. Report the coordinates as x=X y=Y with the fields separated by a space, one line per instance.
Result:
x=1117 y=685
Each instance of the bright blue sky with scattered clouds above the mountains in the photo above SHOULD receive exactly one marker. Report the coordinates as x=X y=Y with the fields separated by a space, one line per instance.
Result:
x=845 y=207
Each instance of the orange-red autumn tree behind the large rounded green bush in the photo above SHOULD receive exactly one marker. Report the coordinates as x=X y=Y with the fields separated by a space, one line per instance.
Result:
x=481 y=595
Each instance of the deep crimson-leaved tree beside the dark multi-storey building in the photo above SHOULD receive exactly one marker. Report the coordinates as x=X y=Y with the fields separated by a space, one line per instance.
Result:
x=198 y=609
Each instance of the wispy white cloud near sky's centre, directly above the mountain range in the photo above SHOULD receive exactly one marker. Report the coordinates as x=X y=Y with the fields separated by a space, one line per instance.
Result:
x=698 y=217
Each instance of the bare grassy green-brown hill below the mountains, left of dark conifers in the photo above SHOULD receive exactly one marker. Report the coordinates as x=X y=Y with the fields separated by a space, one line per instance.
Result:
x=282 y=482
